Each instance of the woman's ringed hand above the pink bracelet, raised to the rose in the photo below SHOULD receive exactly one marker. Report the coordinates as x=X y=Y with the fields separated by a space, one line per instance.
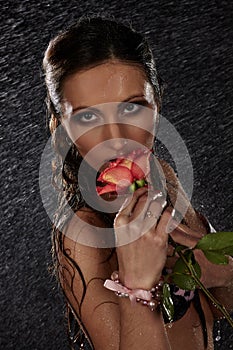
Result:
x=142 y=243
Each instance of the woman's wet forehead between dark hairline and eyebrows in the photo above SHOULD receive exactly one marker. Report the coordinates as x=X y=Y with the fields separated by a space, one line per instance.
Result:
x=108 y=82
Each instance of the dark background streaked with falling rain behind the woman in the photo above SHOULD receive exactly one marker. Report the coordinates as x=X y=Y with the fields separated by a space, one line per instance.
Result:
x=192 y=41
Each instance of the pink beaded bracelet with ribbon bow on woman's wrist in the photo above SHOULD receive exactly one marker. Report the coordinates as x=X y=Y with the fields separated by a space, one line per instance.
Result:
x=151 y=298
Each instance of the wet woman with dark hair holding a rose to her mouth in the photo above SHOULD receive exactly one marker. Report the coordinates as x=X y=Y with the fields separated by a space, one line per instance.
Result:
x=99 y=62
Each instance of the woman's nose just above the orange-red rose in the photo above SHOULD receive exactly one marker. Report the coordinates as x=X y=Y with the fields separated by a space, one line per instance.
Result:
x=115 y=133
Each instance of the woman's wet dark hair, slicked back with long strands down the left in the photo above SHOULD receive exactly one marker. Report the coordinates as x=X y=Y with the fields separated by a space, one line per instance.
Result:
x=89 y=42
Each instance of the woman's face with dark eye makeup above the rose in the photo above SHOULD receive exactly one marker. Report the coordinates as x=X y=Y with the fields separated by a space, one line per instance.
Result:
x=110 y=110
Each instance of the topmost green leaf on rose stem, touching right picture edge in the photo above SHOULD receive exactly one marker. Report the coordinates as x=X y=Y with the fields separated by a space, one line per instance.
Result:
x=216 y=241
